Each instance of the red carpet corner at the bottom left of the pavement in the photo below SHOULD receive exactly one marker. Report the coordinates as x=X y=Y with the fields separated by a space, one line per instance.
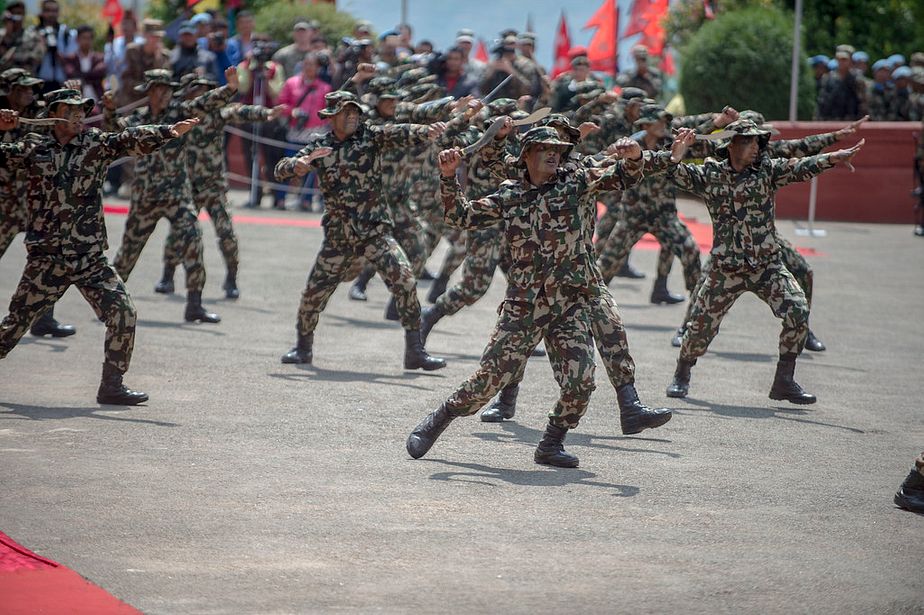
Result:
x=32 y=584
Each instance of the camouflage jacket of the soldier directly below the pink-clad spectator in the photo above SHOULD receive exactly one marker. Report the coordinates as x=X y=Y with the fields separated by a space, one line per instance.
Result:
x=351 y=180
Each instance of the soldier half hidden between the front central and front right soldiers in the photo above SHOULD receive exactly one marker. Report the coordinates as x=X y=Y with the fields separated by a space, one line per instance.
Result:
x=651 y=207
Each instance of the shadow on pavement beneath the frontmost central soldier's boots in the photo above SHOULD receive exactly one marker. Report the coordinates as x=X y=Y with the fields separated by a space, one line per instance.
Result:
x=548 y=477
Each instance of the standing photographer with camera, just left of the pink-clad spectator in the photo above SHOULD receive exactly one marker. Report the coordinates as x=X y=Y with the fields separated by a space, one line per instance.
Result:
x=261 y=81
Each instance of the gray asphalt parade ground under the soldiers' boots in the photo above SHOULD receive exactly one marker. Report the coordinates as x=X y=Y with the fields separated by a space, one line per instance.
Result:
x=248 y=486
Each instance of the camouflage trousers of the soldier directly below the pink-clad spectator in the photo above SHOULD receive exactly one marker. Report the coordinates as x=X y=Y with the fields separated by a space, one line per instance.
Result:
x=334 y=265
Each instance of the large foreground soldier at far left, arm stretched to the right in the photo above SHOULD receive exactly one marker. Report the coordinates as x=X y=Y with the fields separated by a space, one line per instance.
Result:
x=66 y=236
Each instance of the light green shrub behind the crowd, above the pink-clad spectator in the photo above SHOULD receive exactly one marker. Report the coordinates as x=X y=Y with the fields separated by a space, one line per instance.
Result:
x=277 y=18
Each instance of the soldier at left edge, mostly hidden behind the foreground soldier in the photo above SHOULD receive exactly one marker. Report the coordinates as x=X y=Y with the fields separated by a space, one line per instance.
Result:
x=18 y=90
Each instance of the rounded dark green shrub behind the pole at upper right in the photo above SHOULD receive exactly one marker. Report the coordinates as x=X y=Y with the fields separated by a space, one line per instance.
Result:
x=743 y=59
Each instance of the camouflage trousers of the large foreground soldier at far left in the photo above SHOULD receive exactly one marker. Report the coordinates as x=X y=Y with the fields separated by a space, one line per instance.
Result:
x=46 y=278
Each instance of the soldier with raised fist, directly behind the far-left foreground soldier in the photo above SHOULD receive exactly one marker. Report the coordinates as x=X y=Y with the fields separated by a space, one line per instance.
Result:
x=162 y=187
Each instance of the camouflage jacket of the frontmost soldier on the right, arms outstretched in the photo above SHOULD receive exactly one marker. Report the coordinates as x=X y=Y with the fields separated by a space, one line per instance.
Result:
x=742 y=205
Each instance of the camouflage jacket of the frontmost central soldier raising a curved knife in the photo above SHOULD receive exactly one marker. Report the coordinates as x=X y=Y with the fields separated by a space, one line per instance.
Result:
x=544 y=226
